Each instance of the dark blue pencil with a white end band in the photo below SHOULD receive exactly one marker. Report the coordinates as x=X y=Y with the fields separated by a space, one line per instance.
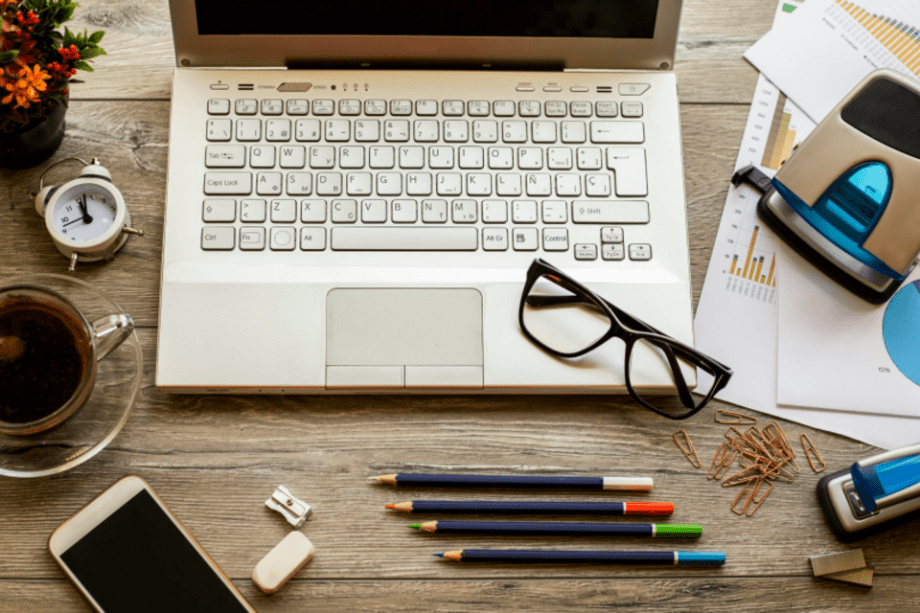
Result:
x=635 y=484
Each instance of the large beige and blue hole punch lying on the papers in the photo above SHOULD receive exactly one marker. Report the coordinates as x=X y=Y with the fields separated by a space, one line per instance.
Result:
x=848 y=198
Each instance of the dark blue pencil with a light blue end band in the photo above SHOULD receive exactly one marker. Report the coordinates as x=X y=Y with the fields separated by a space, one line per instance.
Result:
x=680 y=558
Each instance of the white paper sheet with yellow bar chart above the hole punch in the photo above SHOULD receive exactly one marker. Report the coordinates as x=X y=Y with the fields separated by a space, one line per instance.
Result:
x=828 y=46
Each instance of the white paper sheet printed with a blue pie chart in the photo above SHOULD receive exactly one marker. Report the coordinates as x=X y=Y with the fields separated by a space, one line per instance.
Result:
x=837 y=351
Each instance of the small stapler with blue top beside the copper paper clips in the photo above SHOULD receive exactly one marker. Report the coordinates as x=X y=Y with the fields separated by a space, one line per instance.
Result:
x=873 y=495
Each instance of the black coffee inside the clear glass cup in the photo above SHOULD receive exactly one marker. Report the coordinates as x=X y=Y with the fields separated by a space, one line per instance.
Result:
x=49 y=365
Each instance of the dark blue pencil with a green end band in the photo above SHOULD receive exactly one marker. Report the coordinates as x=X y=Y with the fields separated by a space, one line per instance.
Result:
x=682 y=531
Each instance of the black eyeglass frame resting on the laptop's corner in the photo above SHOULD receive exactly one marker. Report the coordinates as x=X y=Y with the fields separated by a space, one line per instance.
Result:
x=629 y=334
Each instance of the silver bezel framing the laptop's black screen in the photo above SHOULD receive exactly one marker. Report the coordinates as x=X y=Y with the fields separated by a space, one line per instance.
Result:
x=305 y=51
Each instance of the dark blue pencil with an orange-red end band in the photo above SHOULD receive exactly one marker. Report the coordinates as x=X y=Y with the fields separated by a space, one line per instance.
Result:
x=561 y=507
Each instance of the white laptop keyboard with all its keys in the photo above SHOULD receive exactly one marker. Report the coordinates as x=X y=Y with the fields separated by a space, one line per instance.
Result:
x=423 y=175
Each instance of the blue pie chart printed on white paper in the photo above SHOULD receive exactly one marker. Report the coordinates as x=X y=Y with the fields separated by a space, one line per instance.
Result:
x=901 y=330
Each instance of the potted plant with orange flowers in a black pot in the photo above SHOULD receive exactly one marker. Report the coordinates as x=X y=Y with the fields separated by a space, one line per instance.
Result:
x=36 y=65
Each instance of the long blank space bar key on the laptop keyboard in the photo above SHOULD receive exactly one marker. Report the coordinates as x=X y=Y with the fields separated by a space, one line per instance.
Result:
x=355 y=238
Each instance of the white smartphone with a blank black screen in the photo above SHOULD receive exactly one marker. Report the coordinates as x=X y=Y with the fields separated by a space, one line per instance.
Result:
x=127 y=552
